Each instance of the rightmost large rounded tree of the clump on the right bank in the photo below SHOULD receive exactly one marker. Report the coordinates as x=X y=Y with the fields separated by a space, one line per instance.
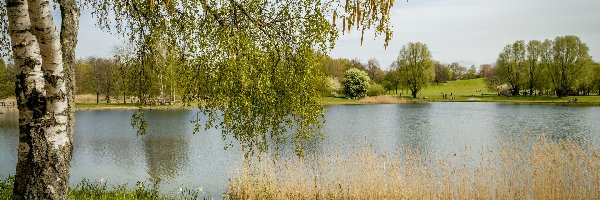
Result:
x=570 y=61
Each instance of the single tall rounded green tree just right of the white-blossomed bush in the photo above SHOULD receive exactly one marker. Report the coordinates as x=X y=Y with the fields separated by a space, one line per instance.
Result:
x=415 y=67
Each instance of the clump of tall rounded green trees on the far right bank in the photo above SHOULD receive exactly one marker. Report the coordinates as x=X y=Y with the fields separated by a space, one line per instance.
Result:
x=561 y=66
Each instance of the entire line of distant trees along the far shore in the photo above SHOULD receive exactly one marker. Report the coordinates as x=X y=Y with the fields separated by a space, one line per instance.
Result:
x=559 y=67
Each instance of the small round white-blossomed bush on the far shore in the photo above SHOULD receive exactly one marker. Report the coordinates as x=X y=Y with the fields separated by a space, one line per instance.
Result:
x=356 y=83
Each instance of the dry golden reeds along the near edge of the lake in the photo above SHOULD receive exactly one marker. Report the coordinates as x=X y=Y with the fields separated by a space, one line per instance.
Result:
x=539 y=169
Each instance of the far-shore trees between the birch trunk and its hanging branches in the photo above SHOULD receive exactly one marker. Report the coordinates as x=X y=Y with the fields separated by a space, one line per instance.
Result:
x=123 y=78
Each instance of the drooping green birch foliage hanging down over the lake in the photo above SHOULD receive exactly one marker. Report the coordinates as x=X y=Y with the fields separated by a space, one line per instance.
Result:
x=252 y=81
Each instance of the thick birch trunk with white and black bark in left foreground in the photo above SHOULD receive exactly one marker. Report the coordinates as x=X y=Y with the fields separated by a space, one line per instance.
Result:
x=45 y=109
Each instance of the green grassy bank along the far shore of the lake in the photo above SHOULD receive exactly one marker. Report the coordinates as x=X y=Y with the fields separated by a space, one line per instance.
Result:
x=473 y=90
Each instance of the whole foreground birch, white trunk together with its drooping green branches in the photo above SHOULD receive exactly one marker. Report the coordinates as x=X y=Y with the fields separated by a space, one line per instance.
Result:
x=233 y=65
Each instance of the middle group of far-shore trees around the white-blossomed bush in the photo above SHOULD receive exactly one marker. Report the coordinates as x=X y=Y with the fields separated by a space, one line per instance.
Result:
x=413 y=70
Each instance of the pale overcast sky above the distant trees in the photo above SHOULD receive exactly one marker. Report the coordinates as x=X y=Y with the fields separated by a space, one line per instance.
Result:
x=470 y=32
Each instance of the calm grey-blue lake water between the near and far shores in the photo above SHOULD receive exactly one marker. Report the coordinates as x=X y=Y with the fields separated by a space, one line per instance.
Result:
x=106 y=146
